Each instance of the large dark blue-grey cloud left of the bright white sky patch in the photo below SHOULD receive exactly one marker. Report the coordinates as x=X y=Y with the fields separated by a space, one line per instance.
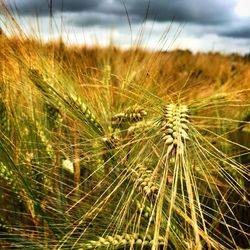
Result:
x=193 y=11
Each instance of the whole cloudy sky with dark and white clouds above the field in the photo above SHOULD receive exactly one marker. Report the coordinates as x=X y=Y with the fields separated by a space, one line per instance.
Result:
x=199 y=25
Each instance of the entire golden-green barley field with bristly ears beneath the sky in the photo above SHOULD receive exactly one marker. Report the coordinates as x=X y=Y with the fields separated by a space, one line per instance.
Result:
x=84 y=148
